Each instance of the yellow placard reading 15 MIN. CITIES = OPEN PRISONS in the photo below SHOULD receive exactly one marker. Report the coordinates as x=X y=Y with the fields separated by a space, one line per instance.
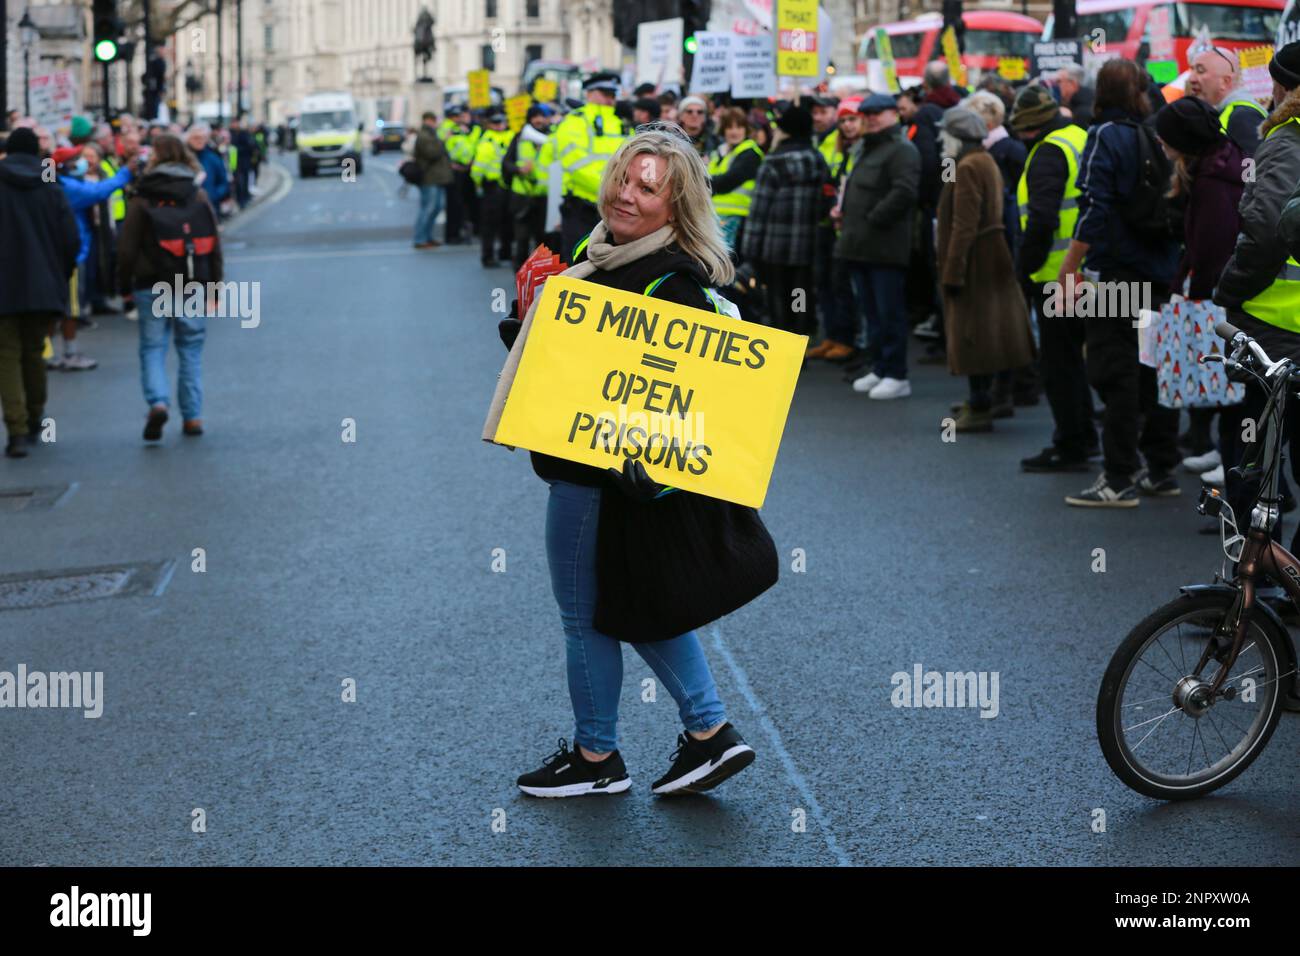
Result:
x=700 y=399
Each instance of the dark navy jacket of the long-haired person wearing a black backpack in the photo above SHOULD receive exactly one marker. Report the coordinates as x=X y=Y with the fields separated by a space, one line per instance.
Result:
x=1108 y=175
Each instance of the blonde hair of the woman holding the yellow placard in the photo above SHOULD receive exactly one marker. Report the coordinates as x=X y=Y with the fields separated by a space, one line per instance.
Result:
x=691 y=207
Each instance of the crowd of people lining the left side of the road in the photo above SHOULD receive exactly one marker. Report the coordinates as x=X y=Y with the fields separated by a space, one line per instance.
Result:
x=88 y=213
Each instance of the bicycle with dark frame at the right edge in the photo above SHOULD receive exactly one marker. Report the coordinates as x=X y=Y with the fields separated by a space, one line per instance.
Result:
x=1212 y=671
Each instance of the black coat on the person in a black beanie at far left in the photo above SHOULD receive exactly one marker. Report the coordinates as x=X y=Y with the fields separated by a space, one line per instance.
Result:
x=40 y=248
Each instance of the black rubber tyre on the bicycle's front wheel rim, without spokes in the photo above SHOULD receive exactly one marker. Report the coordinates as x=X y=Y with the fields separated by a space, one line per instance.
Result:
x=1111 y=697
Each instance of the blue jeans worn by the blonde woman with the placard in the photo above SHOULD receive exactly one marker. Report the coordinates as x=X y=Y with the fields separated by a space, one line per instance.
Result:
x=596 y=660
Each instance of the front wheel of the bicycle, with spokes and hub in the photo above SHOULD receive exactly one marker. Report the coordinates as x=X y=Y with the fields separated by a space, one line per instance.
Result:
x=1160 y=730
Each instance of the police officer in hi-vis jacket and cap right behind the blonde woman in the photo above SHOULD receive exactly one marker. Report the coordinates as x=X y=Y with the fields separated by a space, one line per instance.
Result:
x=586 y=141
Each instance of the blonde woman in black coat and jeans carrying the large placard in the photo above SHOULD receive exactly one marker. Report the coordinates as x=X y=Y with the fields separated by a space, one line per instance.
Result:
x=631 y=560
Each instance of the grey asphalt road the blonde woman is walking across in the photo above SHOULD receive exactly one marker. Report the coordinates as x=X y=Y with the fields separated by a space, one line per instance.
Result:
x=372 y=561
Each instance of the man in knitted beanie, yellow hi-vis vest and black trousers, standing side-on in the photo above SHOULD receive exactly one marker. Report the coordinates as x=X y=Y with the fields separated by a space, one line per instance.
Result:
x=1048 y=201
